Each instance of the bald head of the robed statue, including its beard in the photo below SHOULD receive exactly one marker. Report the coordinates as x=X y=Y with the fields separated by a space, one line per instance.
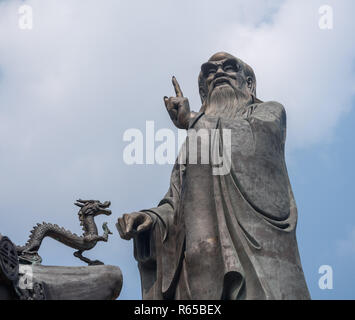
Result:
x=226 y=78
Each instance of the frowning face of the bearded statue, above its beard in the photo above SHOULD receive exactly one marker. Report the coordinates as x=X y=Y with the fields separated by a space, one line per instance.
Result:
x=227 y=72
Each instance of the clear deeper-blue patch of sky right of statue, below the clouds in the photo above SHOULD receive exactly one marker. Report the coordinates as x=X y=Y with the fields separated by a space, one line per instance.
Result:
x=322 y=182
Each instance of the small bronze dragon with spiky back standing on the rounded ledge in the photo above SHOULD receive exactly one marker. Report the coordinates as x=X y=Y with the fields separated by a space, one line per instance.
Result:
x=89 y=209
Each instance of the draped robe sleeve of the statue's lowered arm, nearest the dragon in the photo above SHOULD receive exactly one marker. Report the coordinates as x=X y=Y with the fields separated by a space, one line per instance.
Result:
x=157 y=250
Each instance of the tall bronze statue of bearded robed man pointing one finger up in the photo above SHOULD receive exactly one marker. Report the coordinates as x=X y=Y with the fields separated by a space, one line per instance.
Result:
x=230 y=235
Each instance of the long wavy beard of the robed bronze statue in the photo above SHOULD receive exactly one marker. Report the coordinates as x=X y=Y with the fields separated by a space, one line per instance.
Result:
x=226 y=102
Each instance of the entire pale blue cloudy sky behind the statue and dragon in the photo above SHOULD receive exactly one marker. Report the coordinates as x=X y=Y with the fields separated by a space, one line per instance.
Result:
x=87 y=72
